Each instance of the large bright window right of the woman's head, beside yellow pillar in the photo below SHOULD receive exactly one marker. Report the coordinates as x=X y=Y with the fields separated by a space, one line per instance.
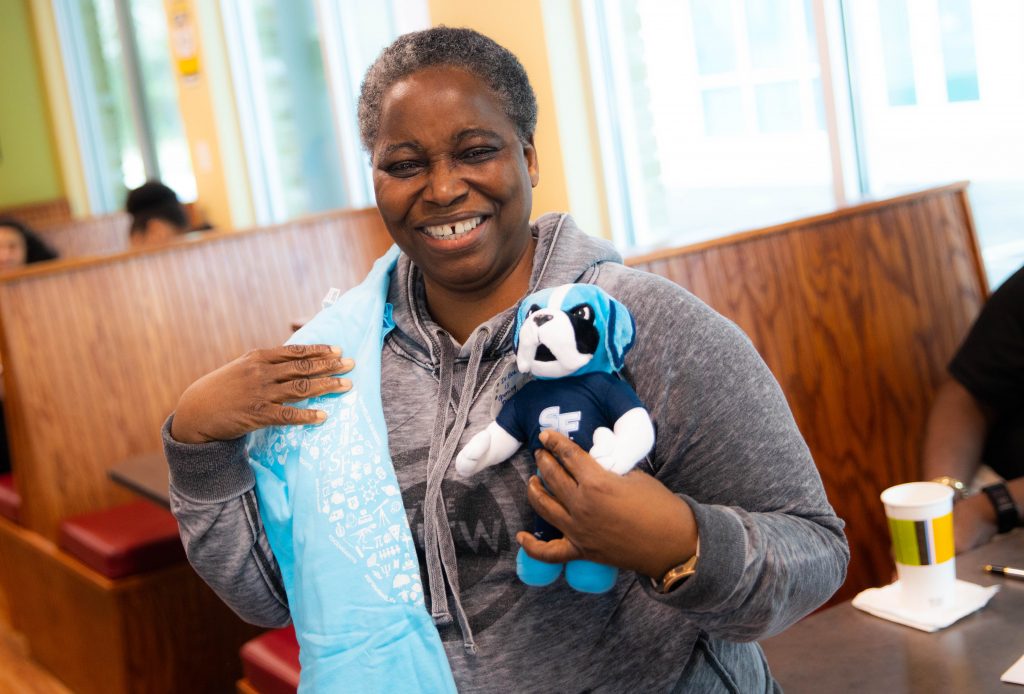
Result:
x=712 y=98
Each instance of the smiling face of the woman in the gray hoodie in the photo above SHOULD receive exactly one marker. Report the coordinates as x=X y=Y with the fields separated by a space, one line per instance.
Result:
x=454 y=182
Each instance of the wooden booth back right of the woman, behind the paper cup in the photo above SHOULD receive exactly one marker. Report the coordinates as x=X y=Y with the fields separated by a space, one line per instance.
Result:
x=858 y=315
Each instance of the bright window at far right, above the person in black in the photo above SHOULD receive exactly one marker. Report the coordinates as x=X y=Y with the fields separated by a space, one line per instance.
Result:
x=961 y=111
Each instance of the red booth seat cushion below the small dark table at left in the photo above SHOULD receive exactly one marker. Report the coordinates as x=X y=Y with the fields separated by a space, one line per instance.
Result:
x=124 y=540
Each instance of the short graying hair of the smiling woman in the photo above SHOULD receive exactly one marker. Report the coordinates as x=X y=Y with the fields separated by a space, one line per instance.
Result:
x=464 y=49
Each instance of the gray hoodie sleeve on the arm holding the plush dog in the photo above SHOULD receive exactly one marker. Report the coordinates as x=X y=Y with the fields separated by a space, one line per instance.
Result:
x=772 y=547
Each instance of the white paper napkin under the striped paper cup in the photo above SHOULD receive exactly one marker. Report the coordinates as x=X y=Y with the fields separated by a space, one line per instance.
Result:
x=887 y=603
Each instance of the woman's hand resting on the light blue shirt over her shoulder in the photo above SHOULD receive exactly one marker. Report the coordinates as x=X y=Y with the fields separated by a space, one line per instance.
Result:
x=249 y=394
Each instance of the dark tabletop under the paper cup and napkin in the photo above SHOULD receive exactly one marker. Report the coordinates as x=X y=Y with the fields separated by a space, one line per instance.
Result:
x=843 y=649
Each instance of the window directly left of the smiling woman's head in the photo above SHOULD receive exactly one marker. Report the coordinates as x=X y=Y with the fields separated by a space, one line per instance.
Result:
x=297 y=67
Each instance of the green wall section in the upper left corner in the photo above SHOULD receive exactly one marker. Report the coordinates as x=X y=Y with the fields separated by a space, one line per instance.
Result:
x=29 y=170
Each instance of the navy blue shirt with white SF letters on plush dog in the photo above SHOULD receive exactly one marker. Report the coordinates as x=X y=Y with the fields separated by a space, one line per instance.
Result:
x=575 y=406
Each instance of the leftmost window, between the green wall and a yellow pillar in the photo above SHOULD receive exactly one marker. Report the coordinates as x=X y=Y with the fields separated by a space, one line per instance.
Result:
x=124 y=98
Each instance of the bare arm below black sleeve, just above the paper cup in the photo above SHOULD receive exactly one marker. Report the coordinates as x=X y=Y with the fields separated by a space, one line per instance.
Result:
x=955 y=437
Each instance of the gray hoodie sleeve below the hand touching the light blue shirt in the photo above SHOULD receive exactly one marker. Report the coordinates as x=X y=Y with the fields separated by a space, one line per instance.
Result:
x=215 y=502
